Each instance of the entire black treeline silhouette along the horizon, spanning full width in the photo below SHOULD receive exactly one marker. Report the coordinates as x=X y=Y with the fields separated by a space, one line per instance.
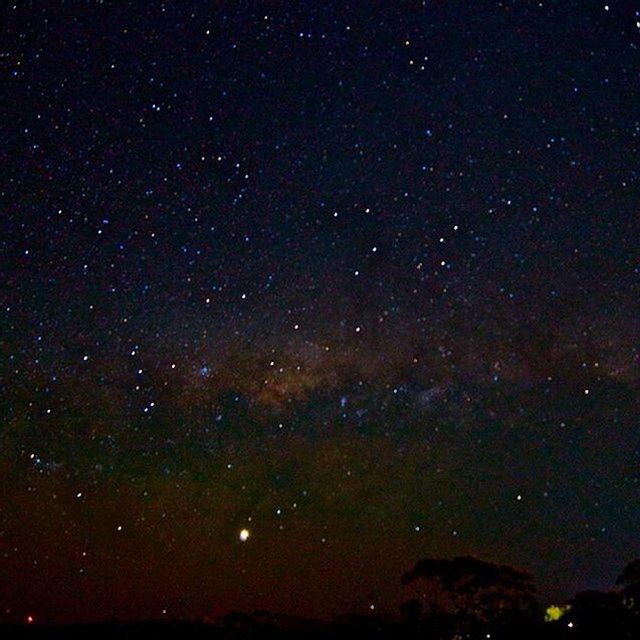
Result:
x=463 y=598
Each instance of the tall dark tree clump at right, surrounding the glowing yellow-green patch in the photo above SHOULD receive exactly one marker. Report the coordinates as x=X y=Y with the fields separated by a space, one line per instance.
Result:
x=466 y=597
